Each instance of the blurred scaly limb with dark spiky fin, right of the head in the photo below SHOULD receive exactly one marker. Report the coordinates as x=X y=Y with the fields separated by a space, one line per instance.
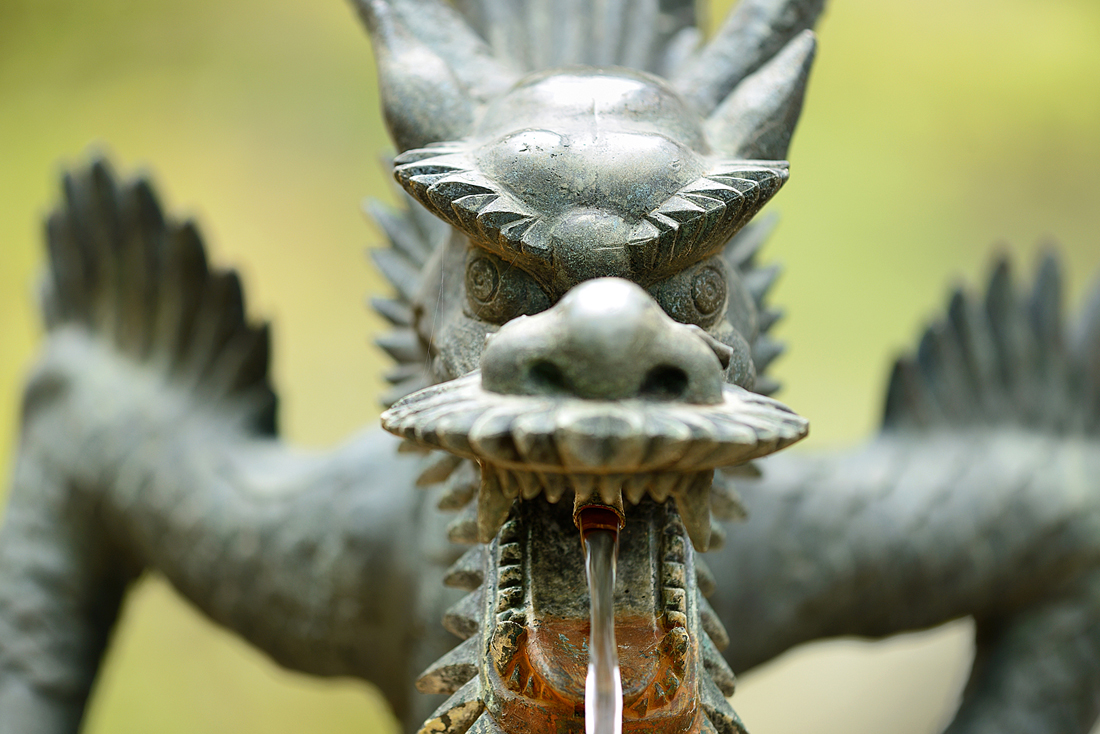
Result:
x=981 y=498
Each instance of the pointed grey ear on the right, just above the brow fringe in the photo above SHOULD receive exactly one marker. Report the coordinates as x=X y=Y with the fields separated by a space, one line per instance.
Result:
x=758 y=117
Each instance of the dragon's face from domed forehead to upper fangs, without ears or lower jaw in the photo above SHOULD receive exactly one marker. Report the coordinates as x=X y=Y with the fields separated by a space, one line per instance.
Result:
x=599 y=342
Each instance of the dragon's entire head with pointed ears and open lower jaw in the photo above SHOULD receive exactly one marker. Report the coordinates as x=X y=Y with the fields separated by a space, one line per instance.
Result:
x=592 y=334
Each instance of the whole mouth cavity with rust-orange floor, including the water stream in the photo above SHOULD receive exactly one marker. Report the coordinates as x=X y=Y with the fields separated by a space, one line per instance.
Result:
x=626 y=658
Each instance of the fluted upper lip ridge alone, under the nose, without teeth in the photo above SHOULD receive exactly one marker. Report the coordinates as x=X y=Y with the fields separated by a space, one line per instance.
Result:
x=566 y=435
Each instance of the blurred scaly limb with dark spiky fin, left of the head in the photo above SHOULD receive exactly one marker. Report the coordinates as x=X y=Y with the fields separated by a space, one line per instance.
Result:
x=149 y=443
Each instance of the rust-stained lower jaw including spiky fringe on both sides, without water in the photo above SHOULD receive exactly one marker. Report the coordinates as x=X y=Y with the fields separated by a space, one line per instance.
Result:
x=527 y=614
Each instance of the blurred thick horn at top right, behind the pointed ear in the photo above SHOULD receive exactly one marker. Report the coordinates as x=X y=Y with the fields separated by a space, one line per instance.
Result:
x=753 y=35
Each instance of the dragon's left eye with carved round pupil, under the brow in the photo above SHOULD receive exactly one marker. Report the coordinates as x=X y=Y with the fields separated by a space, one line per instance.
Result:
x=499 y=291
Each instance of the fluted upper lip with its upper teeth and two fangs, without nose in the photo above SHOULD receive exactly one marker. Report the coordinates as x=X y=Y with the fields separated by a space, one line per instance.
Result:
x=608 y=451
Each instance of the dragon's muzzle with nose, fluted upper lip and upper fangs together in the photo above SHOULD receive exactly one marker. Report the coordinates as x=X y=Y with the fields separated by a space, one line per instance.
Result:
x=606 y=396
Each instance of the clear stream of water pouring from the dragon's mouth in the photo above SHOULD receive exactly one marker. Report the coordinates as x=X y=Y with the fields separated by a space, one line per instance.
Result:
x=603 y=687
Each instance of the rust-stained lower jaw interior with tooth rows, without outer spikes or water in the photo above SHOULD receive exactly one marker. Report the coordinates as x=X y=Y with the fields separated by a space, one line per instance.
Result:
x=538 y=632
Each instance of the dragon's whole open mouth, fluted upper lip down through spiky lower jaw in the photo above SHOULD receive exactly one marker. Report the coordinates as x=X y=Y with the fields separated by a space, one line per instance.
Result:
x=527 y=619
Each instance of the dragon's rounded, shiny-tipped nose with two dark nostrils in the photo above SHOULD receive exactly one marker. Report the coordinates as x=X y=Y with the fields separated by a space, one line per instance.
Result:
x=606 y=341
